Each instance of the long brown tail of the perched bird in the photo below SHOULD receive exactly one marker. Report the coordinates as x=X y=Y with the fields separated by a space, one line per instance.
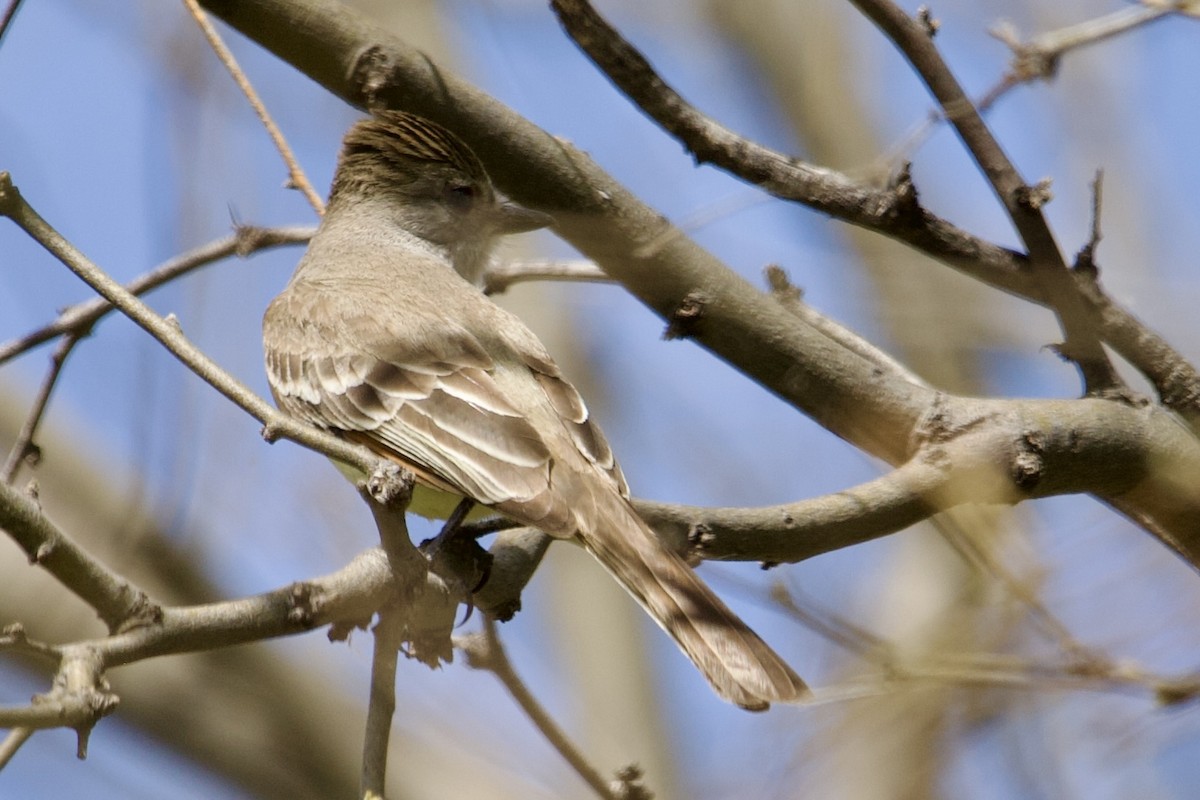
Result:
x=741 y=667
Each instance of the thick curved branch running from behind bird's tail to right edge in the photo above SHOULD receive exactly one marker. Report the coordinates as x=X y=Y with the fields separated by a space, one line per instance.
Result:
x=986 y=452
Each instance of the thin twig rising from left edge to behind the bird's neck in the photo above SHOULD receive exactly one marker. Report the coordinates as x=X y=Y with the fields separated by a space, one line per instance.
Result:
x=81 y=318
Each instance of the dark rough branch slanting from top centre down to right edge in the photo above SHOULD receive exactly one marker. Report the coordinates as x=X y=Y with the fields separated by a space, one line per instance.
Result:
x=892 y=212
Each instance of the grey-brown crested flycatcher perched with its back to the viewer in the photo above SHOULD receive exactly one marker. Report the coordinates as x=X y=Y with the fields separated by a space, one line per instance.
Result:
x=383 y=338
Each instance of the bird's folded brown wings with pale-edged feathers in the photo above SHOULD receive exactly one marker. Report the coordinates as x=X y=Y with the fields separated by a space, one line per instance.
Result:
x=428 y=398
